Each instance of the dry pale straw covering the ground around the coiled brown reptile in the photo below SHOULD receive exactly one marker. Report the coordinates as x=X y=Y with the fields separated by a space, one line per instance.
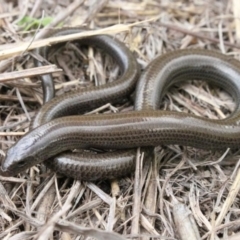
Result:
x=198 y=189
